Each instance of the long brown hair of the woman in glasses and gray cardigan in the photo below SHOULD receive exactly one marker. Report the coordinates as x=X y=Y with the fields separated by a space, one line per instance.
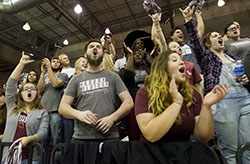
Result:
x=20 y=103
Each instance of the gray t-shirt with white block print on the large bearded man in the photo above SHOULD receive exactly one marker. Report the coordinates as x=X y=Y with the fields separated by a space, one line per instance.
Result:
x=95 y=91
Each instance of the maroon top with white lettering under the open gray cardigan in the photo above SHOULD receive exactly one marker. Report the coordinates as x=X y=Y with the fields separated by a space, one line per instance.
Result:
x=21 y=132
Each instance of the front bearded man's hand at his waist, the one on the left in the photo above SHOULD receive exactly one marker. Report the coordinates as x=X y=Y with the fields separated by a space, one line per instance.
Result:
x=88 y=117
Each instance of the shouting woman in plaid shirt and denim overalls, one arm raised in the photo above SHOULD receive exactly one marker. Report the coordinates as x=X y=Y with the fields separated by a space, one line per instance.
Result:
x=232 y=114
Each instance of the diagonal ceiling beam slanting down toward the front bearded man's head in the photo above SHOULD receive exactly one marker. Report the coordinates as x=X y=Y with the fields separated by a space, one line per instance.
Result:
x=70 y=18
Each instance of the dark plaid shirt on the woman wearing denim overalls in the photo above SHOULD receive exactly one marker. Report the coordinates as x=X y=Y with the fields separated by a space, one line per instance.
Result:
x=210 y=63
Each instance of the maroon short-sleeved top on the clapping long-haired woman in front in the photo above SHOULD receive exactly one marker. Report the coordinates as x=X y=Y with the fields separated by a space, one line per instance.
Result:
x=176 y=133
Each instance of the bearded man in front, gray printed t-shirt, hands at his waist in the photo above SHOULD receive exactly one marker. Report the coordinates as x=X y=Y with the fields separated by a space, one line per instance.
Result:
x=95 y=90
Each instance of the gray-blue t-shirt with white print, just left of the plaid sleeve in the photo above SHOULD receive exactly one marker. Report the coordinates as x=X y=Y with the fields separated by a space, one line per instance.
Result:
x=188 y=55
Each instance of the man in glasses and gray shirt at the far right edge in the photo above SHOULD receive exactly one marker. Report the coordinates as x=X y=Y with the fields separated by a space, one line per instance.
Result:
x=237 y=45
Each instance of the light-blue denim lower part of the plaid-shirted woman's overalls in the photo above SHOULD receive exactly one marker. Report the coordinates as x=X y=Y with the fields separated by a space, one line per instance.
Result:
x=232 y=124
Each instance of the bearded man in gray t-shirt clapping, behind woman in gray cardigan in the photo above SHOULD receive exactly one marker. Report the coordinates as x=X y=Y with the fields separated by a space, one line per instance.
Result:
x=50 y=84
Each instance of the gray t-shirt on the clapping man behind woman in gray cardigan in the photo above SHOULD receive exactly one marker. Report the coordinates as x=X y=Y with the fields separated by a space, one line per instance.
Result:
x=52 y=96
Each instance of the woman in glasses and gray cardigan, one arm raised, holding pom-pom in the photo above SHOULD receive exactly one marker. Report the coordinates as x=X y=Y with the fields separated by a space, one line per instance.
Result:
x=27 y=120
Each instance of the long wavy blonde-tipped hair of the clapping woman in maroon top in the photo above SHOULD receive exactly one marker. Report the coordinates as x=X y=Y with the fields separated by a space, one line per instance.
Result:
x=157 y=84
